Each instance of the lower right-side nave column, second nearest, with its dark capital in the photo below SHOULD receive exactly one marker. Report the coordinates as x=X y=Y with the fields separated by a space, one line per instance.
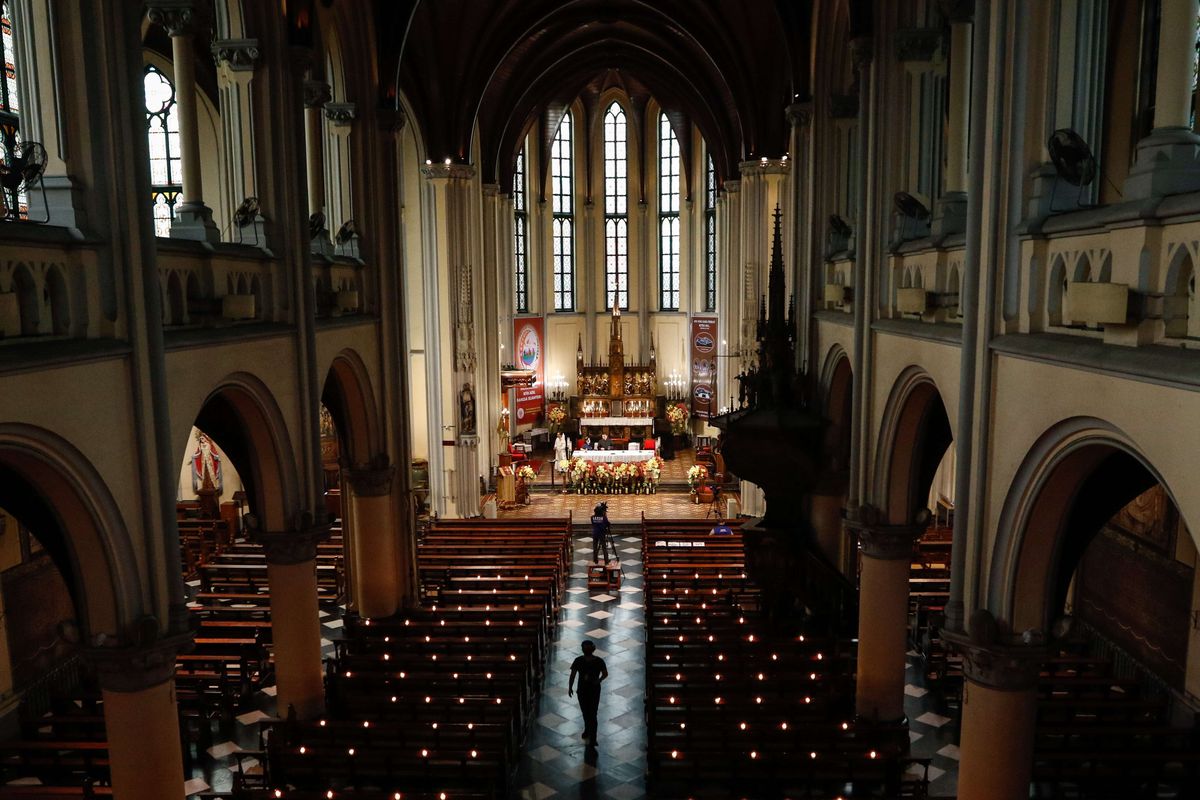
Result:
x=884 y=611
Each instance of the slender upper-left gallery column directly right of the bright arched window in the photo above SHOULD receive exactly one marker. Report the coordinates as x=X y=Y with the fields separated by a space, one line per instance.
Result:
x=194 y=220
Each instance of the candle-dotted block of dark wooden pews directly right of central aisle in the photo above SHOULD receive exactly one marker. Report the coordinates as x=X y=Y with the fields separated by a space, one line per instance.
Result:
x=736 y=708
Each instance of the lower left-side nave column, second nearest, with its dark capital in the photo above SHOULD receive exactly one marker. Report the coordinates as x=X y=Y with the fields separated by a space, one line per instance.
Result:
x=296 y=621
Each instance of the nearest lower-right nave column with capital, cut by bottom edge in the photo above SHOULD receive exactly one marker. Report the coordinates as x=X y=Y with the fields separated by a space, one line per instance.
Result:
x=999 y=712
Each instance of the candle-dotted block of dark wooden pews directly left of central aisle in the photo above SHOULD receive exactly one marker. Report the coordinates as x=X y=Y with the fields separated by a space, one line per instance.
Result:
x=435 y=701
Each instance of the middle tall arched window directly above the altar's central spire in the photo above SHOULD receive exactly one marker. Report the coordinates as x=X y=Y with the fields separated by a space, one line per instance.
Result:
x=616 y=209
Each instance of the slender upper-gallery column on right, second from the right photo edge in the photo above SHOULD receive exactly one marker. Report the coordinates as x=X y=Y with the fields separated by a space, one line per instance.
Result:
x=951 y=215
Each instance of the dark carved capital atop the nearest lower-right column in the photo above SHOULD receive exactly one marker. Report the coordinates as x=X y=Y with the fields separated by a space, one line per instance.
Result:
x=992 y=661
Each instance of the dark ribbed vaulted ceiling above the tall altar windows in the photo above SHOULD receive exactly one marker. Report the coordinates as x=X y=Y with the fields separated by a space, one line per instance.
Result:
x=730 y=67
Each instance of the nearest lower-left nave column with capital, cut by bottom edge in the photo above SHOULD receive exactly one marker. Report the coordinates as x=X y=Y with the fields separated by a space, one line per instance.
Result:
x=142 y=719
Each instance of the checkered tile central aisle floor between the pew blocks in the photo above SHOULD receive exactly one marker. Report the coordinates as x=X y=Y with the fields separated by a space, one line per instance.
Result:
x=555 y=762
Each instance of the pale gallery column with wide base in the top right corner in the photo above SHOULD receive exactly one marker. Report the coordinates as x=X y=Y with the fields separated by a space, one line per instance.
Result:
x=1168 y=161
